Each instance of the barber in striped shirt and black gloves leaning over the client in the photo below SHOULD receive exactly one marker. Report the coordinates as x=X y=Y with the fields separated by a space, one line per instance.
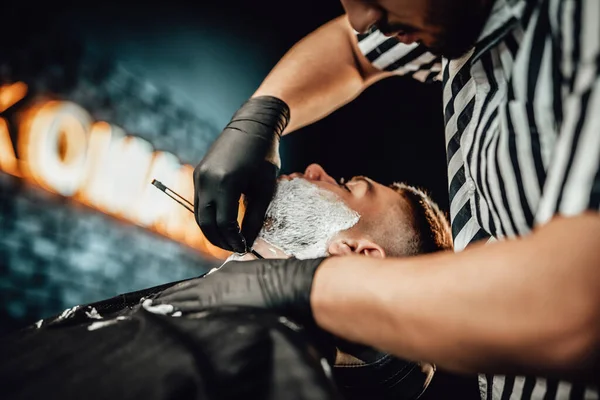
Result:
x=521 y=88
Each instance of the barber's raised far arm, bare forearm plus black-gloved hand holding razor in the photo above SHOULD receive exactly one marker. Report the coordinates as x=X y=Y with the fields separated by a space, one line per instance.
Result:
x=321 y=73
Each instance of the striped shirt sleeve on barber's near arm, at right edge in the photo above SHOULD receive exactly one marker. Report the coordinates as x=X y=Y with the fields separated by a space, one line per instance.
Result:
x=573 y=183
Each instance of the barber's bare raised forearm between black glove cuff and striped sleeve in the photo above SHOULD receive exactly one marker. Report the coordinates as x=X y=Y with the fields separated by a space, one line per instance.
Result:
x=319 y=74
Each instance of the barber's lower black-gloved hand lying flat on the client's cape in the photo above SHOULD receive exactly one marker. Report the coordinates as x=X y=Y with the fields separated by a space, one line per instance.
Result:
x=281 y=285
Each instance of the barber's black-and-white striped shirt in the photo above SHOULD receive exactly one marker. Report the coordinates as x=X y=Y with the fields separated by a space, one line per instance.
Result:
x=522 y=114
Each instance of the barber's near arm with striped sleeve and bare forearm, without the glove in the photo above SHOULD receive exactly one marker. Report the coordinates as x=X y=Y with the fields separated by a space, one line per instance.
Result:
x=526 y=306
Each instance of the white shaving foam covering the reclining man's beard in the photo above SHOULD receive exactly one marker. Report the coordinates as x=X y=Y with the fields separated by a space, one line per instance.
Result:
x=303 y=218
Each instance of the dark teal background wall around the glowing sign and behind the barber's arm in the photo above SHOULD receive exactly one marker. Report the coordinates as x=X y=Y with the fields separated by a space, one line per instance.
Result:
x=206 y=59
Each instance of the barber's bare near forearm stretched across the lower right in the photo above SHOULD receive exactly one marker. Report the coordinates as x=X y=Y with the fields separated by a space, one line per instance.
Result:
x=527 y=306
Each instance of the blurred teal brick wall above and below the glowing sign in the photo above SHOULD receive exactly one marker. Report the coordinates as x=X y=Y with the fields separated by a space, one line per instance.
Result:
x=55 y=252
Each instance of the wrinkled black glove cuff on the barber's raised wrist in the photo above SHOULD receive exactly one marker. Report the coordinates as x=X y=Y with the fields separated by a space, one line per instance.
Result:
x=269 y=111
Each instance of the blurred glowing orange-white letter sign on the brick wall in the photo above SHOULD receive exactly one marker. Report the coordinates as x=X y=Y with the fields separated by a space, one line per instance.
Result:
x=64 y=151
